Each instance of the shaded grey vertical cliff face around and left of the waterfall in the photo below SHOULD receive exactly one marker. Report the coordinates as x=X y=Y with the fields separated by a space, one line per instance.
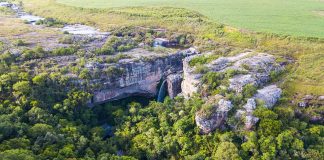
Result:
x=138 y=77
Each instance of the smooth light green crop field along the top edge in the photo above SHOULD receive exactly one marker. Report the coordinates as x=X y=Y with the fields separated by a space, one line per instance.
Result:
x=291 y=17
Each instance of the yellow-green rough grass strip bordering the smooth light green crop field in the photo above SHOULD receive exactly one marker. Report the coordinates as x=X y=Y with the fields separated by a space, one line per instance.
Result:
x=305 y=77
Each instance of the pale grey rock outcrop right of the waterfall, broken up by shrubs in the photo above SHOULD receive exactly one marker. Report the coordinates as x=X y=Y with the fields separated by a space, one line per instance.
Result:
x=252 y=69
